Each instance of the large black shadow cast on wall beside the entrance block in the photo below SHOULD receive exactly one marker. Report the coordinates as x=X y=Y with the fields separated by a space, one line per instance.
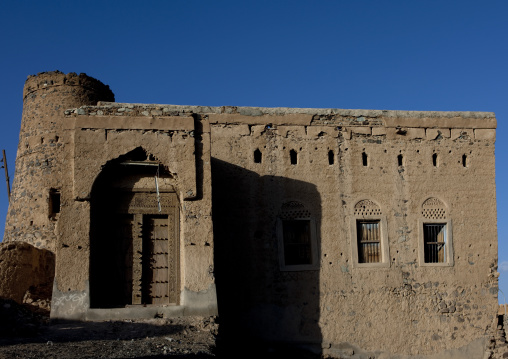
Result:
x=264 y=292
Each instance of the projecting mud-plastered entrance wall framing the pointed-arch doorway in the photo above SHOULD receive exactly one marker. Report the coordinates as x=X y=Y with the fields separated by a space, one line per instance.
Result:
x=182 y=145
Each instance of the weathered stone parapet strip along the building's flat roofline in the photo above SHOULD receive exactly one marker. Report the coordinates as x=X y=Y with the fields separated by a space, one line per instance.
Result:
x=425 y=125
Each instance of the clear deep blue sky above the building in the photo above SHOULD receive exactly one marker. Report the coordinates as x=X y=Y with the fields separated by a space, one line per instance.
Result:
x=397 y=55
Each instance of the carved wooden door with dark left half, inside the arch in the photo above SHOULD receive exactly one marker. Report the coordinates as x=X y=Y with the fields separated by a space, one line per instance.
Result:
x=136 y=250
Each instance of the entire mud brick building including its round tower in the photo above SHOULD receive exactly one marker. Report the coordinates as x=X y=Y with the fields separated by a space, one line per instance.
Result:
x=348 y=230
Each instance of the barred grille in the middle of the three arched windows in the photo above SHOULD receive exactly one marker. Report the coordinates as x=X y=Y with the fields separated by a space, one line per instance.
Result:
x=369 y=241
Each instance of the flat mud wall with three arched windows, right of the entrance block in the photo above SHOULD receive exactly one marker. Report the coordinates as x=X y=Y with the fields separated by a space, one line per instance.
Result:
x=403 y=307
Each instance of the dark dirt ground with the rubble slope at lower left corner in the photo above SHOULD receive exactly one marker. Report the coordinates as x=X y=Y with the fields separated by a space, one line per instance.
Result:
x=25 y=334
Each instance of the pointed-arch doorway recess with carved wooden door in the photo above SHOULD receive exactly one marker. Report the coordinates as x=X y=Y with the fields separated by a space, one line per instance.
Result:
x=134 y=241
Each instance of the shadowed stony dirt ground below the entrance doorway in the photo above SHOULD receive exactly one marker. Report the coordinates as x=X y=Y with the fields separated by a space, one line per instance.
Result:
x=155 y=338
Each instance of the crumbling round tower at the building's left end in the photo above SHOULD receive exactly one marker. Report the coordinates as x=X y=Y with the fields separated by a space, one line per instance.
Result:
x=43 y=167
